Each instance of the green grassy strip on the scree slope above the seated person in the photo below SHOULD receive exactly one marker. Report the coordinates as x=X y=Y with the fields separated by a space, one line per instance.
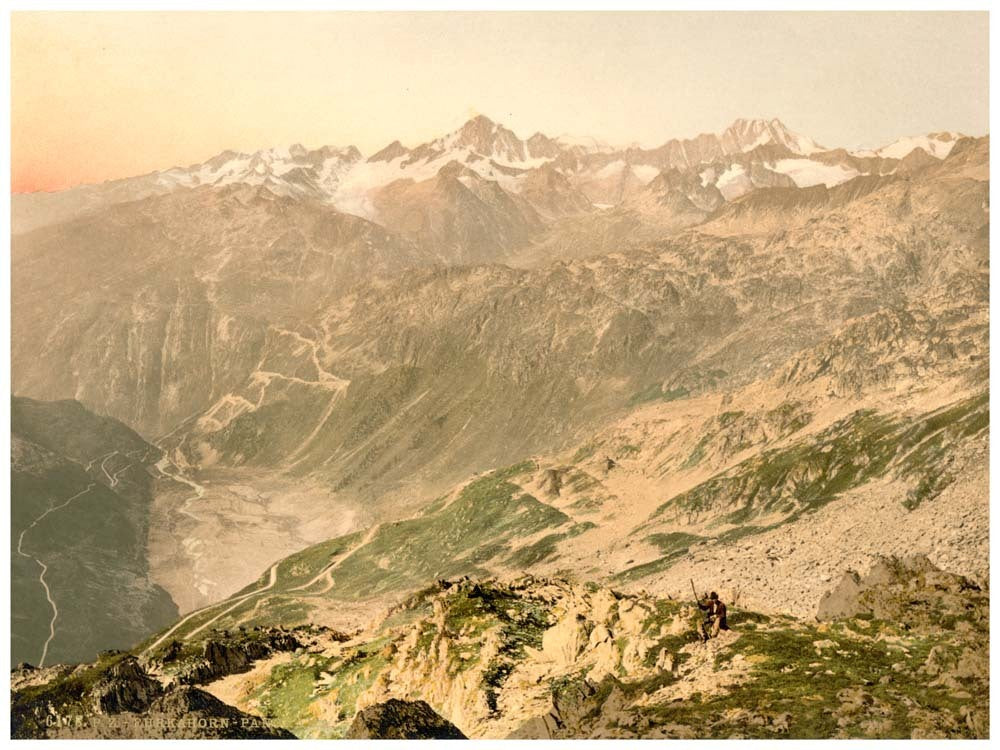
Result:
x=801 y=478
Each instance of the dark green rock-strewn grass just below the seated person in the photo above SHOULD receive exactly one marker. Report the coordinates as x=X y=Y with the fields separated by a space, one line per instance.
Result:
x=792 y=676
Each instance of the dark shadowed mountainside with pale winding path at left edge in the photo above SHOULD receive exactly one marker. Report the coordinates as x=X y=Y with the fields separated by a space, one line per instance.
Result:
x=80 y=507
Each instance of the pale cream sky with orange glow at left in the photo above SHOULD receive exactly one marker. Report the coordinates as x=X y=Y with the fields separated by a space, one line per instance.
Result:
x=97 y=96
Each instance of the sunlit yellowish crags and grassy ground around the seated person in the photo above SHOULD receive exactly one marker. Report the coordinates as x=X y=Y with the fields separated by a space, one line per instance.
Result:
x=543 y=658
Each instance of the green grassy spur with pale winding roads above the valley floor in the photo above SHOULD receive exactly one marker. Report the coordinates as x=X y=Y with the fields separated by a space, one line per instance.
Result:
x=466 y=536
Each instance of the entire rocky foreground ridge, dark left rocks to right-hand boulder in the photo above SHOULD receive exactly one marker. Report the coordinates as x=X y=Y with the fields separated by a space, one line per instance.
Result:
x=533 y=658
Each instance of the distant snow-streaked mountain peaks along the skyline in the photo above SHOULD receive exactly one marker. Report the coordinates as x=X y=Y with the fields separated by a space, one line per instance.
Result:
x=750 y=153
